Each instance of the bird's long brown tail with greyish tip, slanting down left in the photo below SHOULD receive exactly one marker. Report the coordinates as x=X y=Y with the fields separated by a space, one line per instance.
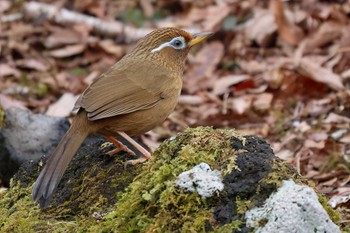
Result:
x=57 y=163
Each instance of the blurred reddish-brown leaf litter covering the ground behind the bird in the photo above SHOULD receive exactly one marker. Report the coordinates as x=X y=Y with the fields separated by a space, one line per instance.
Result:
x=277 y=69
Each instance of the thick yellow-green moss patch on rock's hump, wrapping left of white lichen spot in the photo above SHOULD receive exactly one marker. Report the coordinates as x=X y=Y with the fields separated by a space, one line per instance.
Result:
x=153 y=195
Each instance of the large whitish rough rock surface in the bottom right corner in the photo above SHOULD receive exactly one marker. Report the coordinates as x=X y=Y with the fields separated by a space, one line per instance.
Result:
x=292 y=208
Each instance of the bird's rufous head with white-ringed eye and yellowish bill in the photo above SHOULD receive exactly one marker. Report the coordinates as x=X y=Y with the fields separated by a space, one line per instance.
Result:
x=169 y=46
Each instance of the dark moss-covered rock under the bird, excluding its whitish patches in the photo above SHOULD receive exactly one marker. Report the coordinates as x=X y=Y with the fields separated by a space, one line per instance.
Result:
x=98 y=195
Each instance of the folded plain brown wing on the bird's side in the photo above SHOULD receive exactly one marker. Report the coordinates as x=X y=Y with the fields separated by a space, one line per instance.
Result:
x=119 y=92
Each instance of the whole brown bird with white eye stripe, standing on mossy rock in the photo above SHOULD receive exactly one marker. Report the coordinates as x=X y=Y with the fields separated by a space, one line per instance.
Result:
x=132 y=97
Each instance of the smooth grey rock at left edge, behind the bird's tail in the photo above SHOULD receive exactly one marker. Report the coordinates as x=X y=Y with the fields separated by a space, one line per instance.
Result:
x=29 y=136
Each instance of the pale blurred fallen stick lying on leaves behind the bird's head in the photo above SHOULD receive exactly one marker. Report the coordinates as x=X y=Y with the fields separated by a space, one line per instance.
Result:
x=34 y=10
